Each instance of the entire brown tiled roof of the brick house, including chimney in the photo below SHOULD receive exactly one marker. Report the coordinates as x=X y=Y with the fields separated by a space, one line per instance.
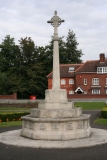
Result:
x=87 y=67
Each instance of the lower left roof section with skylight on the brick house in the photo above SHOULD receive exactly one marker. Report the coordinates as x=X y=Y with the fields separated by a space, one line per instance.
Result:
x=64 y=70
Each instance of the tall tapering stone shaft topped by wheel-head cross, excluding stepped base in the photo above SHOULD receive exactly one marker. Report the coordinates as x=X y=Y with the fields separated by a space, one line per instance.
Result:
x=55 y=22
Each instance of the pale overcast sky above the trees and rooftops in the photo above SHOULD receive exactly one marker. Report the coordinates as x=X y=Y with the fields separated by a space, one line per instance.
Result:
x=87 y=19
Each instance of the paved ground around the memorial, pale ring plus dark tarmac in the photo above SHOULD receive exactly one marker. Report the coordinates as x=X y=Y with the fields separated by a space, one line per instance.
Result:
x=97 y=151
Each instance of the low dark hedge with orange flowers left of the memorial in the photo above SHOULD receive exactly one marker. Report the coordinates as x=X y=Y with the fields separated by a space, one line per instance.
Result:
x=12 y=116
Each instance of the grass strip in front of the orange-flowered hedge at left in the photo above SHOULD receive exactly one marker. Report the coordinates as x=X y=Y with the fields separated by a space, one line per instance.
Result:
x=10 y=124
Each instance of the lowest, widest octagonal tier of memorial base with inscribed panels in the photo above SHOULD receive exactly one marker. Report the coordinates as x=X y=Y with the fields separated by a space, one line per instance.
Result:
x=56 y=128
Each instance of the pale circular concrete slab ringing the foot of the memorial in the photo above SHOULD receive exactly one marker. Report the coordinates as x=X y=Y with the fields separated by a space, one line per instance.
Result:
x=98 y=137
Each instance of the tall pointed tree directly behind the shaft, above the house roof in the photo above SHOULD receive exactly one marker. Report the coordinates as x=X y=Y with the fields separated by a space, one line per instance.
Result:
x=68 y=49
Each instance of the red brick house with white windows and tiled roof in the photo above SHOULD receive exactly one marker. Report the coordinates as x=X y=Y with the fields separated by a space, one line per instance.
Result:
x=86 y=80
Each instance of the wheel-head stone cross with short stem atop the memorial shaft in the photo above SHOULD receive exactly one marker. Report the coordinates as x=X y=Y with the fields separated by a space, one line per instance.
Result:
x=55 y=22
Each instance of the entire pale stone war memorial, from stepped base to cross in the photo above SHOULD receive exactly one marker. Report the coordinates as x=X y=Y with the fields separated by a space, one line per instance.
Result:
x=55 y=118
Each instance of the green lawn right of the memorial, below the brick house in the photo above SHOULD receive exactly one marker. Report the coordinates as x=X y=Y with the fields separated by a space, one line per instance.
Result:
x=90 y=105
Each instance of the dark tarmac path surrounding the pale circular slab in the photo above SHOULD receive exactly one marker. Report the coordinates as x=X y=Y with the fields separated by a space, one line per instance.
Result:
x=8 y=152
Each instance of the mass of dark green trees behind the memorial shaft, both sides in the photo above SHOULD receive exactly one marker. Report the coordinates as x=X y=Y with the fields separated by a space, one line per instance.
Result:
x=24 y=67
